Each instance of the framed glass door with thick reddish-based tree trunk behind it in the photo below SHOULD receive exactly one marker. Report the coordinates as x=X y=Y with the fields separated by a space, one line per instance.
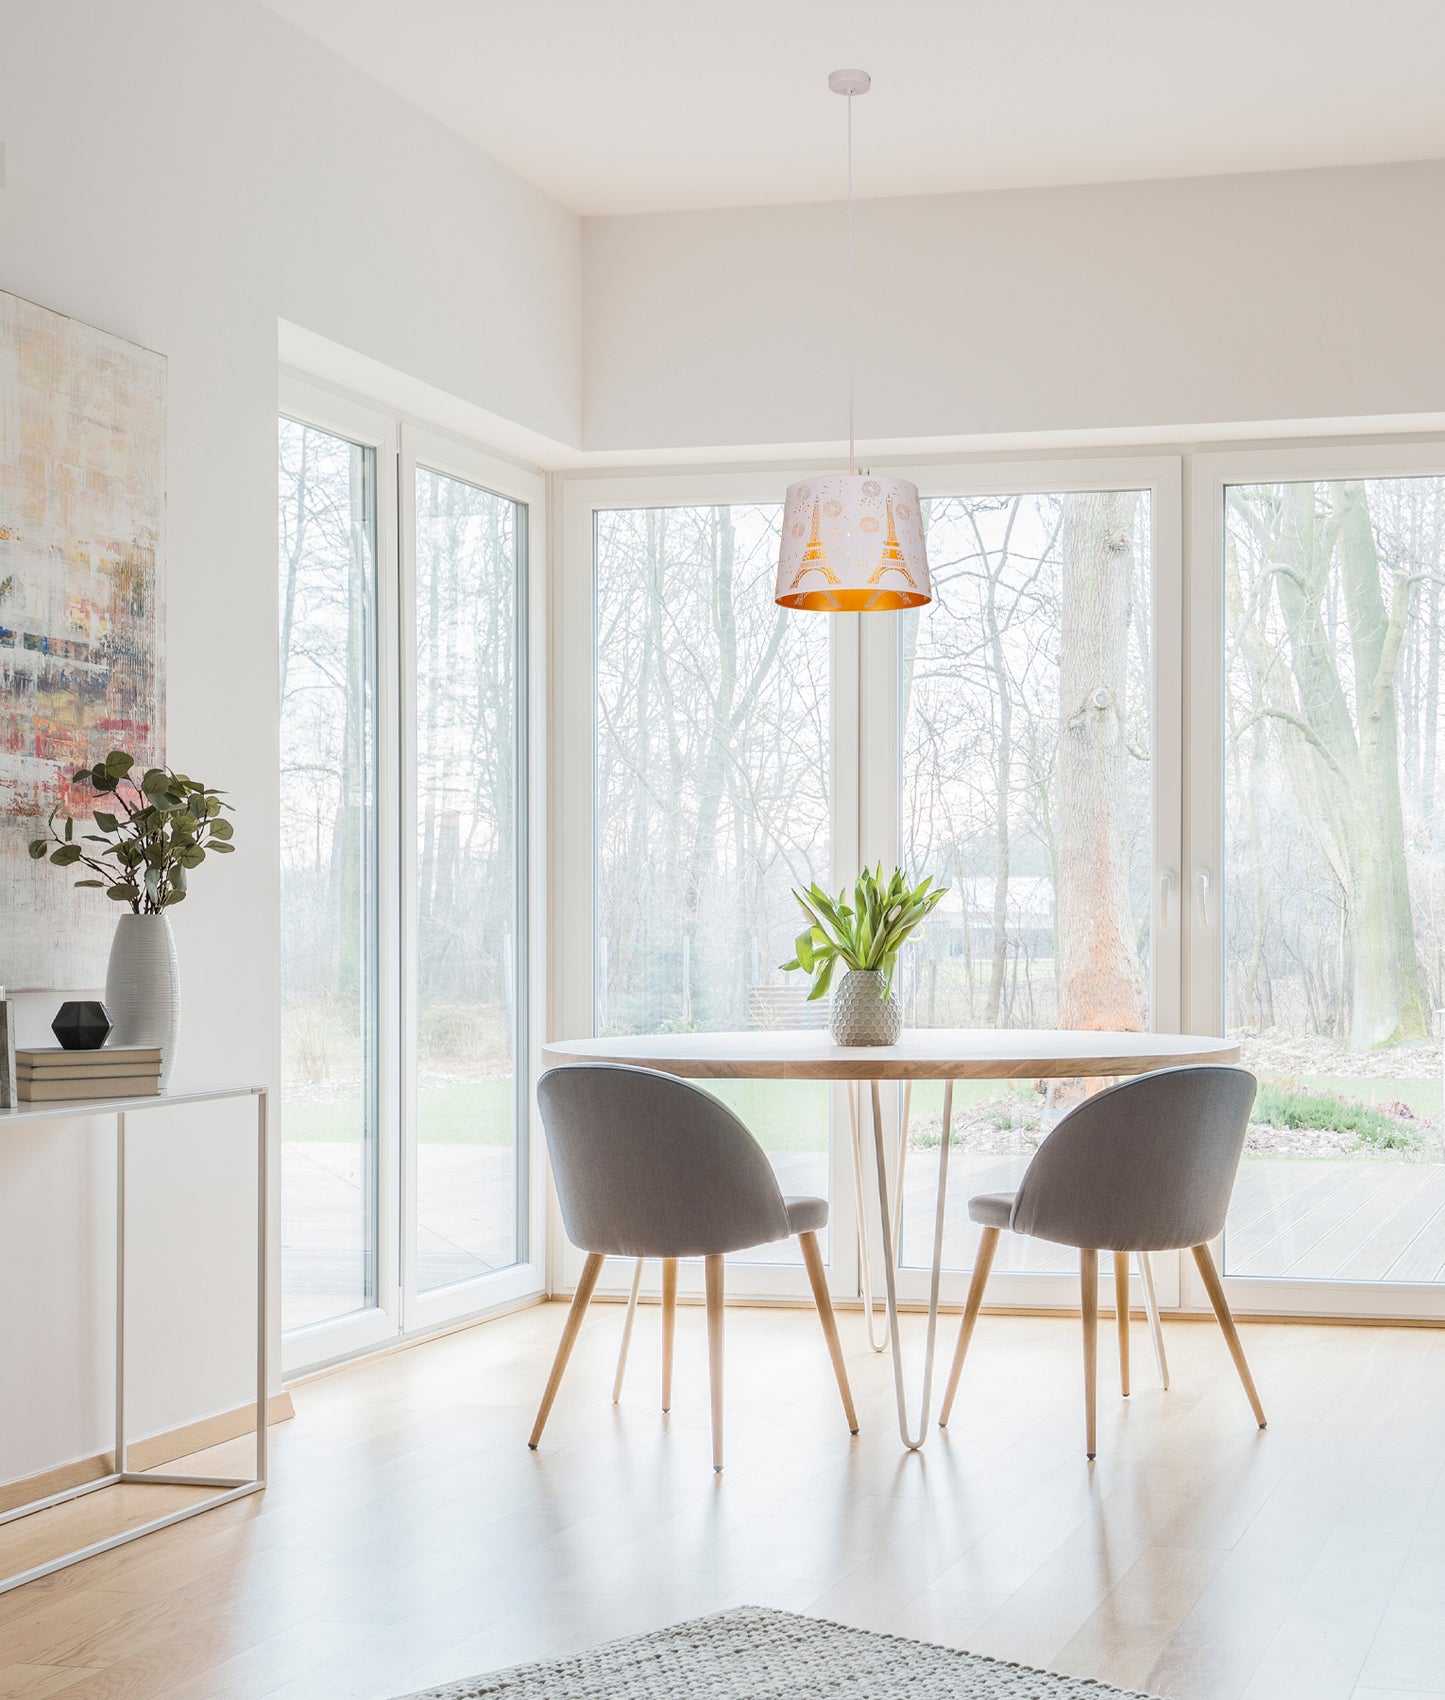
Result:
x=1036 y=778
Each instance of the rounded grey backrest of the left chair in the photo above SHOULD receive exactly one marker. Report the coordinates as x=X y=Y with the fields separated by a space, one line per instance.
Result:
x=652 y=1167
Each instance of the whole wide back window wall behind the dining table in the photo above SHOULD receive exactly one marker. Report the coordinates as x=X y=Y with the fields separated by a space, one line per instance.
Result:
x=1177 y=774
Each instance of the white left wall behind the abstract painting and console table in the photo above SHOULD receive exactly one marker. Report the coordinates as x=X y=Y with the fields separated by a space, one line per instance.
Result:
x=188 y=174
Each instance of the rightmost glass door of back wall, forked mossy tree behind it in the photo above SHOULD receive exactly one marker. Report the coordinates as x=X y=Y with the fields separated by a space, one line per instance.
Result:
x=1334 y=885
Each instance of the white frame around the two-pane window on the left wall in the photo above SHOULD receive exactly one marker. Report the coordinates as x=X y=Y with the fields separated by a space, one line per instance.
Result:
x=400 y=443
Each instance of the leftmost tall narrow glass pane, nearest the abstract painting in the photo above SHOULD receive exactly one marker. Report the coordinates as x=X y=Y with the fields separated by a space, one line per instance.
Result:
x=329 y=647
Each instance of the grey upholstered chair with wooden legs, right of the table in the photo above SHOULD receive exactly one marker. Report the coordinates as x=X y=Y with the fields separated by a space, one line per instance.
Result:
x=1143 y=1167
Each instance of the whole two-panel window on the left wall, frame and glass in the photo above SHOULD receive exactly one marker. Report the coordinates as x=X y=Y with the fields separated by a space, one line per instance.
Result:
x=407 y=1182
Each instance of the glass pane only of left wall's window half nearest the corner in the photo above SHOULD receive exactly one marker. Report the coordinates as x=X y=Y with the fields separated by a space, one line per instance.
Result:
x=470 y=921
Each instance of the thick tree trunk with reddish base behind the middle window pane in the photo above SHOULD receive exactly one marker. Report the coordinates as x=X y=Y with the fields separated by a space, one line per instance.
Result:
x=1101 y=982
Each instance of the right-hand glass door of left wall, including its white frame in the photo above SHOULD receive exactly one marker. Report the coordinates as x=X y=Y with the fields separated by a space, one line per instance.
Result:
x=467 y=1150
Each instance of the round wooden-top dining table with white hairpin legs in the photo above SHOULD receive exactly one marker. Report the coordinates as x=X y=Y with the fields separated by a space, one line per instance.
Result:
x=926 y=1053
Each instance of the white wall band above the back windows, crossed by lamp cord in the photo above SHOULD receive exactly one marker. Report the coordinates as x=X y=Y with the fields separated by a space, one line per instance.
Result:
x=1216 y=302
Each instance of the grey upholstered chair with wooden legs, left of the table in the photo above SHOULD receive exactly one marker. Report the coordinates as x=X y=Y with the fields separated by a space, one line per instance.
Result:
x=652 y=1167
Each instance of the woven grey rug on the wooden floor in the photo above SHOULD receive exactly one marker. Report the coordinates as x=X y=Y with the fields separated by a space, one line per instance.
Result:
x=756 y=1655
